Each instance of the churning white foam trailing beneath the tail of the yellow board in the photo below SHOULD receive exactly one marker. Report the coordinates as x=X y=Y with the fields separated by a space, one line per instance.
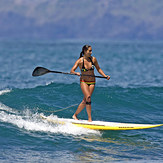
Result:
x=33 y=122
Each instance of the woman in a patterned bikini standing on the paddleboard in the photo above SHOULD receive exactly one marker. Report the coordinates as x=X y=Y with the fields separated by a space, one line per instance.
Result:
x=86 y=63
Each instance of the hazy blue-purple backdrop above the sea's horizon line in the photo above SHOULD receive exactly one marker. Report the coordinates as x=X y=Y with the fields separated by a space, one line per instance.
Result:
x=85 y=19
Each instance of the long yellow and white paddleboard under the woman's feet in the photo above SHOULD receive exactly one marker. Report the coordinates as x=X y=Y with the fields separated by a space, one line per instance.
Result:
x=100 y=125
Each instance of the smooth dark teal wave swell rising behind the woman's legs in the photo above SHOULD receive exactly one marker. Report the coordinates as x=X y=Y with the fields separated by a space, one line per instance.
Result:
x=121 y=104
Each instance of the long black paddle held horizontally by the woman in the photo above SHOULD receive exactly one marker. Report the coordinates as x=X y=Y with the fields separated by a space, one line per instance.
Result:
x=38 y=71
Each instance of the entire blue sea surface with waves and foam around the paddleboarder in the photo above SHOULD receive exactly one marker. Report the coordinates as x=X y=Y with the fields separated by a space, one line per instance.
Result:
x=134 y=94
